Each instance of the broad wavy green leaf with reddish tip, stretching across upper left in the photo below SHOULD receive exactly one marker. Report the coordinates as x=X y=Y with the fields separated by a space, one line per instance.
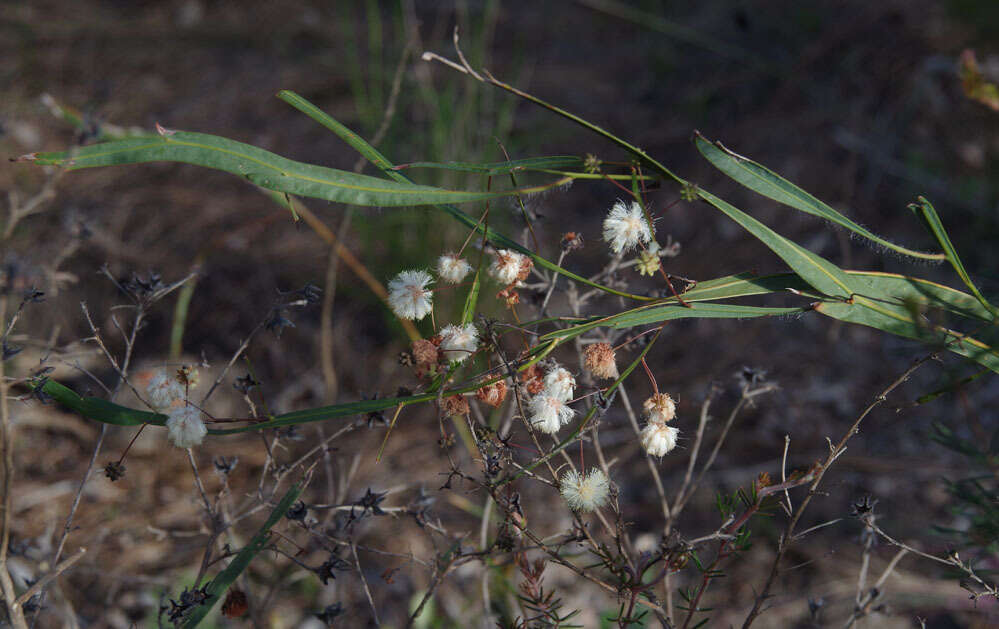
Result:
x=264 y=168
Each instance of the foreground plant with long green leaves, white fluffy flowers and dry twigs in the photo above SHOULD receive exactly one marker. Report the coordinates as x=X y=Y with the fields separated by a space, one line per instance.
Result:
x=510 y=387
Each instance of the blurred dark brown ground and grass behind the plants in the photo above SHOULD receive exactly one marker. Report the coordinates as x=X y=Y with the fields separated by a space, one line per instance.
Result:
x=859 y=103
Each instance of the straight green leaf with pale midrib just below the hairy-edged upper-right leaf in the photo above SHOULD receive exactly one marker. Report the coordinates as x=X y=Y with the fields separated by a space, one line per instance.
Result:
x=821 y=274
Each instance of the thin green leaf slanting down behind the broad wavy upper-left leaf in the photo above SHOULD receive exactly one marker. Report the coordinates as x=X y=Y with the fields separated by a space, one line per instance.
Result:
x=375 y=157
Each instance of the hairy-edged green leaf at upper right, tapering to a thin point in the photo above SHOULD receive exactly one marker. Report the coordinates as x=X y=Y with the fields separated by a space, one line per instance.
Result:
x=764 y=181
